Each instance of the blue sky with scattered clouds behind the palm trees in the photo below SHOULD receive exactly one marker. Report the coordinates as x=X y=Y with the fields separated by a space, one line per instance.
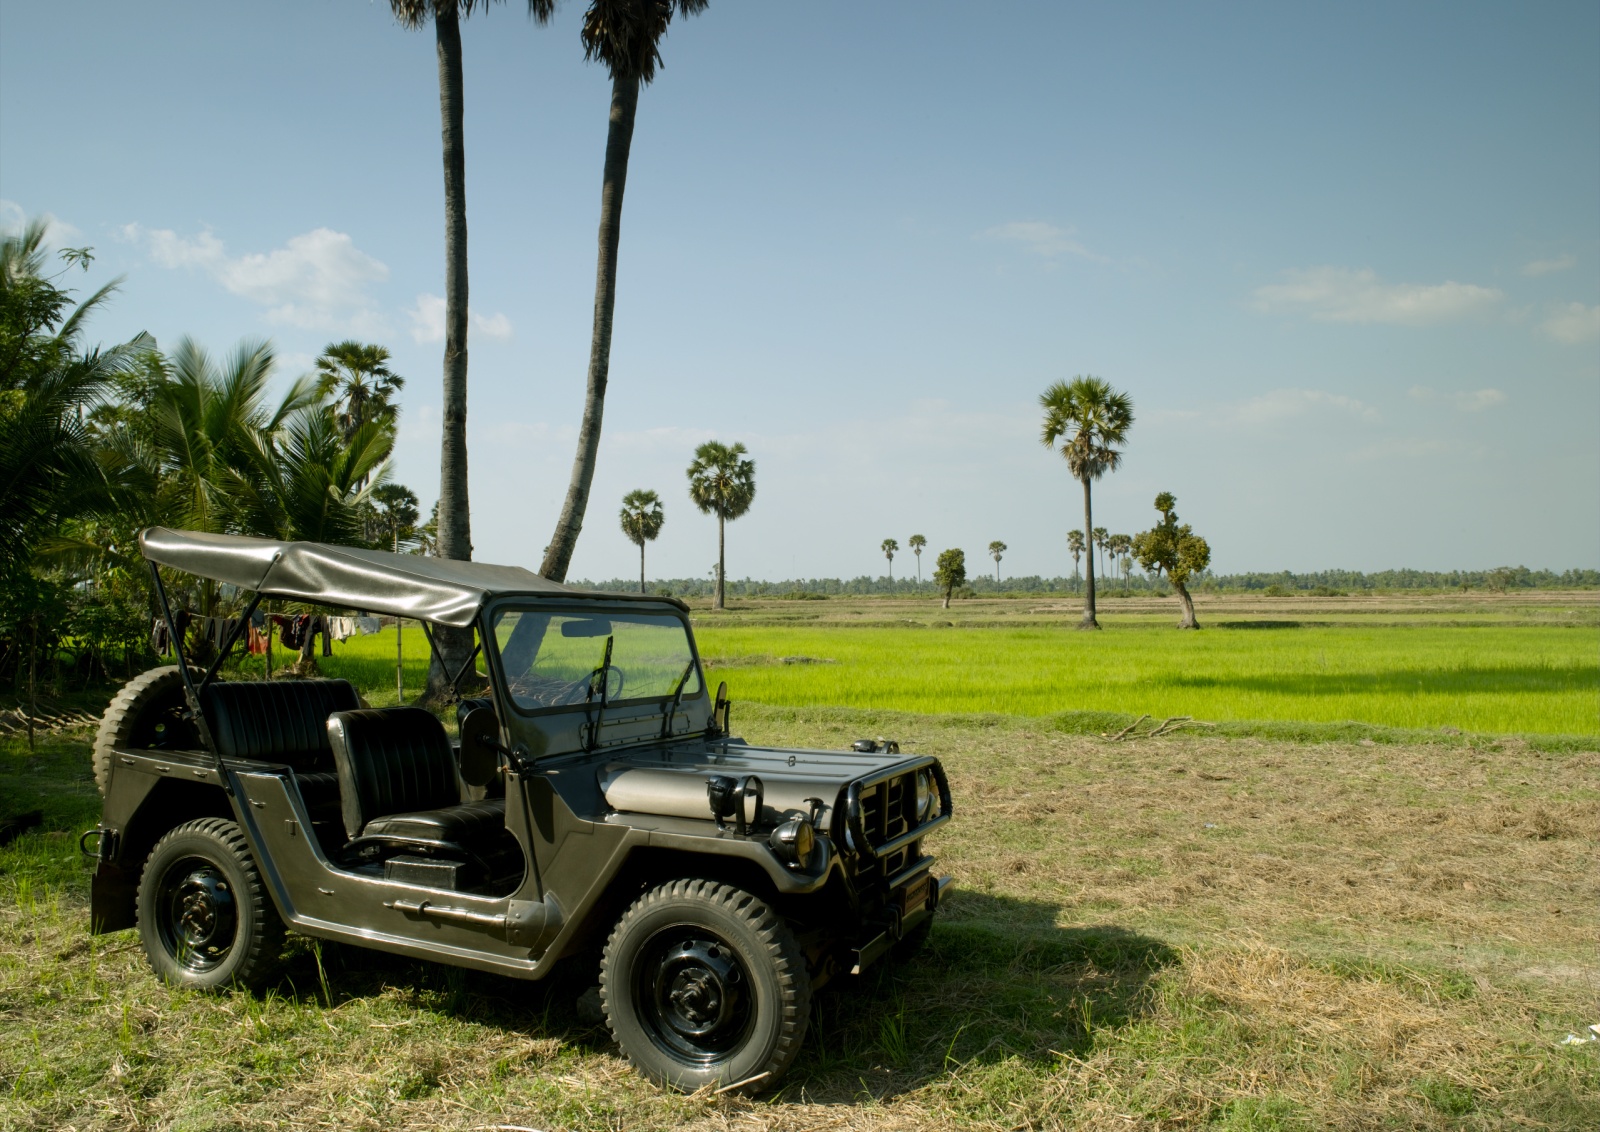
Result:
x=1345 y=260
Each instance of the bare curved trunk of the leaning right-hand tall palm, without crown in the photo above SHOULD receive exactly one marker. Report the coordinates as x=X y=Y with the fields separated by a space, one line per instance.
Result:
x=620 y=138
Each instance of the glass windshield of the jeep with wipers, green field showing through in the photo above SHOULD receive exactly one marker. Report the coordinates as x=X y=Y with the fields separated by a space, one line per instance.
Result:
x=578 y=658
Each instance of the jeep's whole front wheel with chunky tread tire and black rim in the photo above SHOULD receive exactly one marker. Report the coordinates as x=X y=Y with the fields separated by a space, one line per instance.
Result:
x=703 y=984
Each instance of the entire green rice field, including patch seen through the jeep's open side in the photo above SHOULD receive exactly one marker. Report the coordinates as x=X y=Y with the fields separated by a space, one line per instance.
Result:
x=1481 y=666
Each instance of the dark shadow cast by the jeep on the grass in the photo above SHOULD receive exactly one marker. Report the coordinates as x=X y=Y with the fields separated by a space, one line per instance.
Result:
x=996 y=983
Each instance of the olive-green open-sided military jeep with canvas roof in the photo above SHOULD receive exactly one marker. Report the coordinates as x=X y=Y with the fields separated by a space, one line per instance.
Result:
x=593 y=802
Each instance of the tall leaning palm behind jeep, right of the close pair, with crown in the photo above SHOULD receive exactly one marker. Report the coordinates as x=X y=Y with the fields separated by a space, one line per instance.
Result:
x=626 y=38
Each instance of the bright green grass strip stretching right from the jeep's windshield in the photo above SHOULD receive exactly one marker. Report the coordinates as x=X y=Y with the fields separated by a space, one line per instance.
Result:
x=1476 y=679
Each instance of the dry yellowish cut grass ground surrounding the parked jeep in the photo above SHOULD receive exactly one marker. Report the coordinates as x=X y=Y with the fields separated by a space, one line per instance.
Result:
x=1191 y=931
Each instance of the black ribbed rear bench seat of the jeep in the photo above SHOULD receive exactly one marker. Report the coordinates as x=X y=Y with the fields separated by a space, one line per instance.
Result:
x=284 y=722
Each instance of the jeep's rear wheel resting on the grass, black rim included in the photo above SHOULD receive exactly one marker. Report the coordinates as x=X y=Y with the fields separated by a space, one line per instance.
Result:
x=206 y=917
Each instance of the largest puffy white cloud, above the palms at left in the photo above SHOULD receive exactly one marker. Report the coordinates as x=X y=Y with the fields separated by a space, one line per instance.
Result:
x=318 y=281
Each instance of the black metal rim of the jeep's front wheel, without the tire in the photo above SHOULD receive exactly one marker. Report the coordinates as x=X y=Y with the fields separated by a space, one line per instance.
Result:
x=694 y=995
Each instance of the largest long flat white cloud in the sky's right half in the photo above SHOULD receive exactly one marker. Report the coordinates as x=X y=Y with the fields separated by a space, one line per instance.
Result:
x=1338 y=295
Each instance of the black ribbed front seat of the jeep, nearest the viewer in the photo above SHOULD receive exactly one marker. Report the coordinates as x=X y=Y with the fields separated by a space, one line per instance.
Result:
x=399 y=791
